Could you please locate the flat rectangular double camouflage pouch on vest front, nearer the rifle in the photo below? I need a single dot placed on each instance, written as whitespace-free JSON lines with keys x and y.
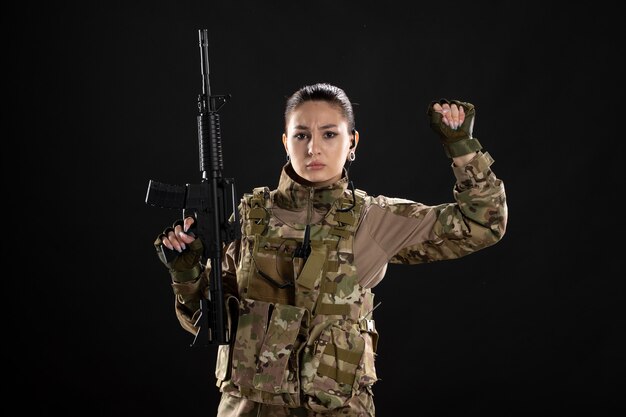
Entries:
{"x":265,"y":354}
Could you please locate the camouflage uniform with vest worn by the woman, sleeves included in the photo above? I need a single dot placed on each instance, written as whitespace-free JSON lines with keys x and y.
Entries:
{"x":305,"y":339}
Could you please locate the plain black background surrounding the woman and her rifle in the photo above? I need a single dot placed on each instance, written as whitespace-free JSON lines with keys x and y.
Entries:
{"x":102,"y":97}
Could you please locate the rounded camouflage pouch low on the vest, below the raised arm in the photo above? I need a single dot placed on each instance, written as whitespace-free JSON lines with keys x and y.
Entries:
{"x":332,"y":366}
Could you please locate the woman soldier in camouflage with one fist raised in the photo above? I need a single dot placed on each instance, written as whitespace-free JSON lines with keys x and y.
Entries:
{"x":312,"y":250}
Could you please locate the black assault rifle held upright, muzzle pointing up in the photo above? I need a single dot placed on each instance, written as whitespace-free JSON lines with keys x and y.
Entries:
{"x":206,"y":203}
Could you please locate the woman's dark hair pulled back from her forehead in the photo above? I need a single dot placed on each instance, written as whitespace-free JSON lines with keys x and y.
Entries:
{"x":321,"y":92}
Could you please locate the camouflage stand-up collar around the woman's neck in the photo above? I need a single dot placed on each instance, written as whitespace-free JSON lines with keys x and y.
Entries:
{"x":295,"y":193}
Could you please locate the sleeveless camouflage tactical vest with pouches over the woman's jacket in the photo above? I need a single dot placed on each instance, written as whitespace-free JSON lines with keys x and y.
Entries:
{"x":305,"y":334}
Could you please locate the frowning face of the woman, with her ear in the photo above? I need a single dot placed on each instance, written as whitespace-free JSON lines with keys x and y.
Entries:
{"x":318,"y":142}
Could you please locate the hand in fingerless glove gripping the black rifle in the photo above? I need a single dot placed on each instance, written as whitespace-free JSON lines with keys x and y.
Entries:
{"x":183,"y":266}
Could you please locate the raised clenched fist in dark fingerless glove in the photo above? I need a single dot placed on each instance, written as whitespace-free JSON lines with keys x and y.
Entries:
{"x":454,"y":126}
